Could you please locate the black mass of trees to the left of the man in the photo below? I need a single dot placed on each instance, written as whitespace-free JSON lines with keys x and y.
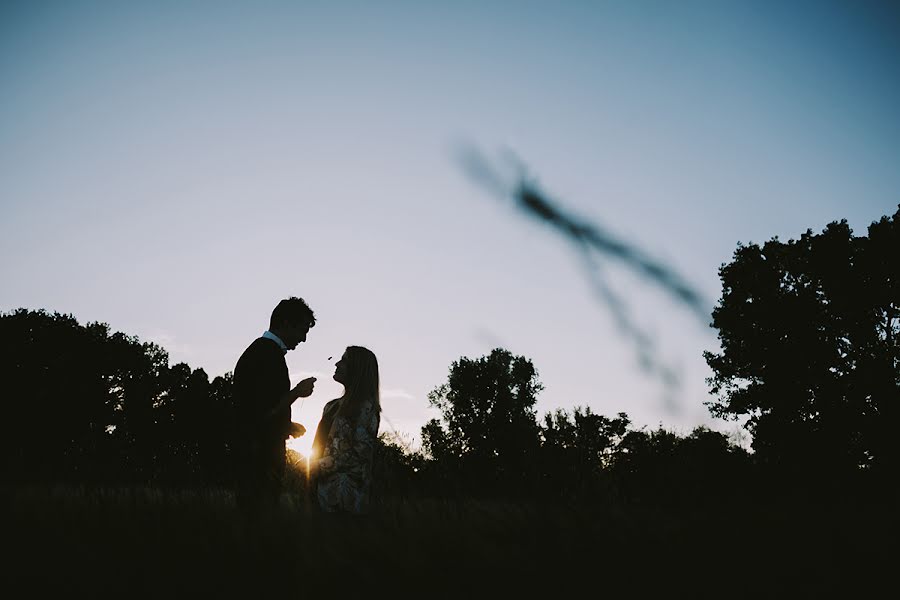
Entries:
{"x":86,"y":404}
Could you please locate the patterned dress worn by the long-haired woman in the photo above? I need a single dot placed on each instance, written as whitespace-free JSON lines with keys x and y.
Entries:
{"x":345,"y":480}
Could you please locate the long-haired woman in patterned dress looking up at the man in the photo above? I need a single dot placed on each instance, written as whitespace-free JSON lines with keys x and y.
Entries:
{"x":344,"y":446}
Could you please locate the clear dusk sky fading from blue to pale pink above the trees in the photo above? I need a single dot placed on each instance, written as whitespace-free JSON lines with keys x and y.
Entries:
{"x":174,"y":169}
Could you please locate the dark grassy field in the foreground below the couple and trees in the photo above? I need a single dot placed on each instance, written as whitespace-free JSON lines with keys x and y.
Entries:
{"x":142,"y":542}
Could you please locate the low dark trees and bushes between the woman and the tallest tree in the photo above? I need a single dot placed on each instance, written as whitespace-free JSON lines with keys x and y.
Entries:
{"x":489,"y":443}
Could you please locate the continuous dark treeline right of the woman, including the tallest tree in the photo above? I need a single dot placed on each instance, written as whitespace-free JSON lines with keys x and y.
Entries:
{"x":809,"y":331}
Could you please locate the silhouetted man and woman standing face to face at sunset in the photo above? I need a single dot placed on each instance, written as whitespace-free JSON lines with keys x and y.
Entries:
{"x":344,"y":443}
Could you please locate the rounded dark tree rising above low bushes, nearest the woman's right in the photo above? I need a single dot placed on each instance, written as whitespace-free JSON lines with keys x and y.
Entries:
{"x":488,"y":425}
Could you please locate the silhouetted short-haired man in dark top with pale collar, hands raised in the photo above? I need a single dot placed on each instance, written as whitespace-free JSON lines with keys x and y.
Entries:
{"x":263,"y":398}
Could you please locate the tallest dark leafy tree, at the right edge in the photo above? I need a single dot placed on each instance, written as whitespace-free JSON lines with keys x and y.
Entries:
{"x":809,"y":347}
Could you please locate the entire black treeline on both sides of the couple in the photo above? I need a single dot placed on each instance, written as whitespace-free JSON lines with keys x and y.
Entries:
{"x":810,"y":357}
